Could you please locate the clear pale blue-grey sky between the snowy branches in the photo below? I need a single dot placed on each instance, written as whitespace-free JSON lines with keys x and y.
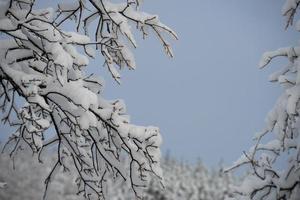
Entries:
{"x":211,"y":98}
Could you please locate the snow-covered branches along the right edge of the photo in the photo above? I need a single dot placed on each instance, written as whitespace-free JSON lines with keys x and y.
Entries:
{"x":275,"y":165}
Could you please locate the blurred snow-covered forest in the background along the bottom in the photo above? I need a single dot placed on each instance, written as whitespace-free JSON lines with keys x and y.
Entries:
{"x":182,"y":182}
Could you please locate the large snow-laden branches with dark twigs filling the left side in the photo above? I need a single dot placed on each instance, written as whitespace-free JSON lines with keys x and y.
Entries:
{"x":44,"y":65}
